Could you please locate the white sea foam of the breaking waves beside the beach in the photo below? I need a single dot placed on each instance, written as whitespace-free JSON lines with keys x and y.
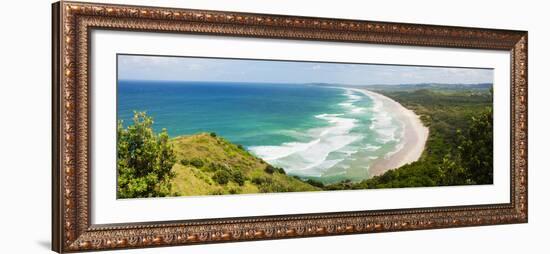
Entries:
{"x":323,"y":148}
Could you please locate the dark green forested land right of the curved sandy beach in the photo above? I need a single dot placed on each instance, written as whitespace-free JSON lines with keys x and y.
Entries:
{"x":451,"y":156}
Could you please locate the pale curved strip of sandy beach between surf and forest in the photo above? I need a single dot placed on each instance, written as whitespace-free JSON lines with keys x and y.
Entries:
{"x":414,"y":136}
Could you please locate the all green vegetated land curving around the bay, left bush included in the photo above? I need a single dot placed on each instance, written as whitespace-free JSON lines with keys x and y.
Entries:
{"x":458,"y":151}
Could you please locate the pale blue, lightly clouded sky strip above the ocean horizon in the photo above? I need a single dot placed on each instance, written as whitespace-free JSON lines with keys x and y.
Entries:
{"x":132,"y":67}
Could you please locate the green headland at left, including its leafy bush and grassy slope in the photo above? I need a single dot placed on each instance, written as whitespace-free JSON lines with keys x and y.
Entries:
{"x":151,"y":165}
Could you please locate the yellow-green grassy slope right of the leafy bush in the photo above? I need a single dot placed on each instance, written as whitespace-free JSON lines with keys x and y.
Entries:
{"x":218,"y":154}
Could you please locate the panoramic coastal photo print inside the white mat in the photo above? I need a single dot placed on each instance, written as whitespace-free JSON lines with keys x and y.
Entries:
{"x":191,"y":126}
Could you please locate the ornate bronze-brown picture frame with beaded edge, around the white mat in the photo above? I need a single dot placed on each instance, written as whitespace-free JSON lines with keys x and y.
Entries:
{"x":71,"y":226}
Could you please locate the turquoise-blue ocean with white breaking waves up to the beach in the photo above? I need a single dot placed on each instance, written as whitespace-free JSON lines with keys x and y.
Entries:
{"x":324,"y":133}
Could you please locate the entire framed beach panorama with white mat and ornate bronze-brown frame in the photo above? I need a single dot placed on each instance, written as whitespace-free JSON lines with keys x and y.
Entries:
{"x":178,"y":126}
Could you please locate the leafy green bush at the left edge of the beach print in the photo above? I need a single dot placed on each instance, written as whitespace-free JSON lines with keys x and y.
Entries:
{"x":144,"y":159}
